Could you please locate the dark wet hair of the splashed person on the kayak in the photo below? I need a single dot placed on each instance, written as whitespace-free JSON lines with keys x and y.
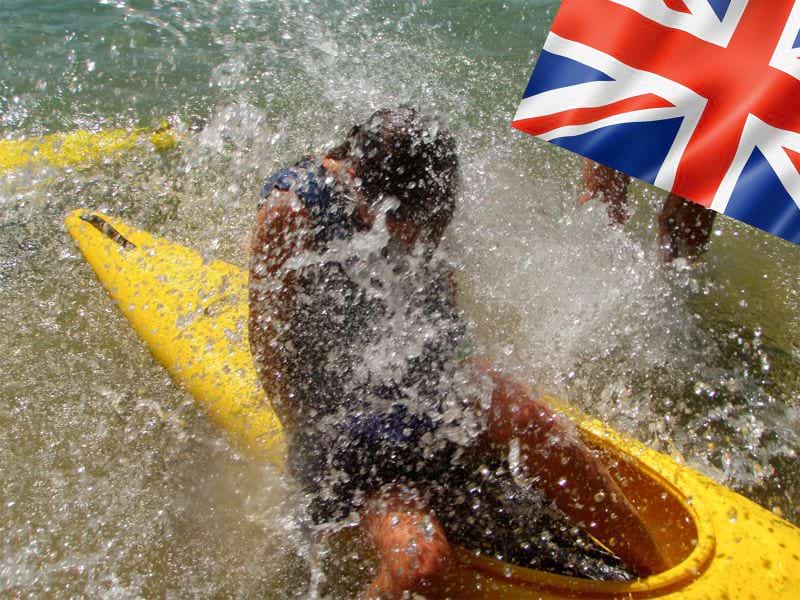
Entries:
{"x":411,"y":157}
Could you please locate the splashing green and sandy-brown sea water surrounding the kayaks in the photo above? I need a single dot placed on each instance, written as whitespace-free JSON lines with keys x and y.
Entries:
{"x":115,"y":485}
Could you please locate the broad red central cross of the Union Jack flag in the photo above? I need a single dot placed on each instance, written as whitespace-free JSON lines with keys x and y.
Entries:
{"x":736,"y":80}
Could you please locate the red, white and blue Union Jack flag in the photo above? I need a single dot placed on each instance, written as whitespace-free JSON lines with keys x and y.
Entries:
{"x":698,"y":97}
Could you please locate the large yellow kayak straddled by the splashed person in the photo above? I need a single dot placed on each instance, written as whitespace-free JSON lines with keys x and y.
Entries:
{"x":192,"y":315}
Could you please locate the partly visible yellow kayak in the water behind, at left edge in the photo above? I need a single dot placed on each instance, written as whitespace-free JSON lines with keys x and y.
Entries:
{"x":80,"y":148}
